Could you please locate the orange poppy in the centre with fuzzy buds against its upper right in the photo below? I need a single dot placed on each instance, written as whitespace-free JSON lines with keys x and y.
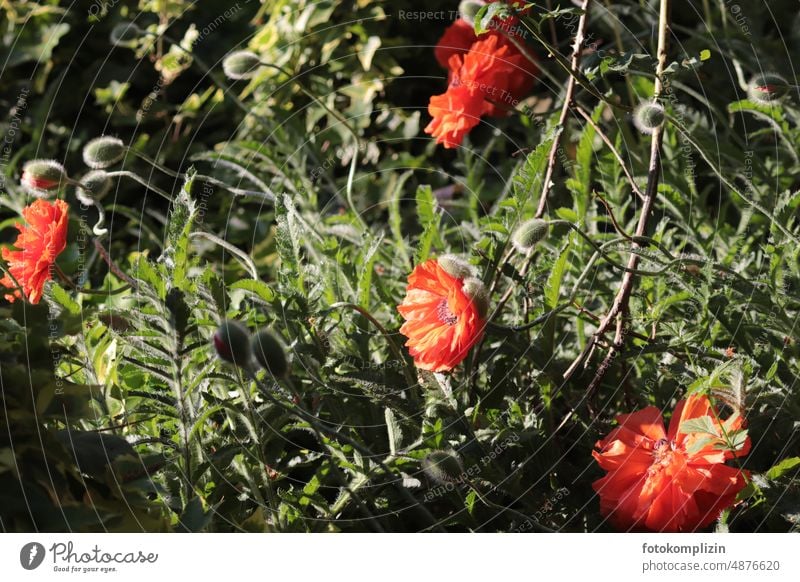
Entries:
{"x":445,"y":311}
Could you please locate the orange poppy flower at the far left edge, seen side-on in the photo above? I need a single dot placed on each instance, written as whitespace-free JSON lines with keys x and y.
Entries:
{"x":40,"y":242}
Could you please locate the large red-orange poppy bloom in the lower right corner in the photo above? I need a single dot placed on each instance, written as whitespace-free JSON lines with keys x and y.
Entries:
{"x":676,"y":481}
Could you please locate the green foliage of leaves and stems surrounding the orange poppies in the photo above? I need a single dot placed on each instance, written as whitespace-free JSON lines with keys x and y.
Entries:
{"x":303,"y":198}
